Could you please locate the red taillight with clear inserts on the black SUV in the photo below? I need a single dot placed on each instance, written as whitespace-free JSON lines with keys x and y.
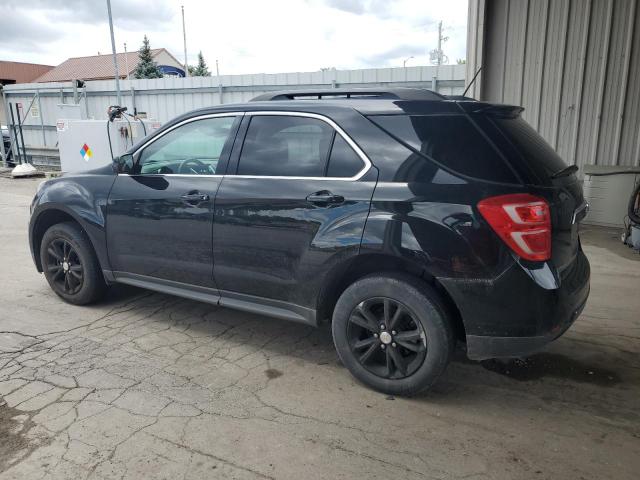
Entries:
{"x":522,"y":221}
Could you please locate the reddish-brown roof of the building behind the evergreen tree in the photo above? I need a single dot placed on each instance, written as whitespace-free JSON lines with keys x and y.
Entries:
{"x":96,"y":67}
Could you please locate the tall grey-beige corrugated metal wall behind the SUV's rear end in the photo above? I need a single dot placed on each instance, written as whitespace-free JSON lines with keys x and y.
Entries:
{"x":573,"y":64}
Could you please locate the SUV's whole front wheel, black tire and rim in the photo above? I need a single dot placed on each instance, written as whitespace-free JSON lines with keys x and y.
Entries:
{"x":70,"y":264}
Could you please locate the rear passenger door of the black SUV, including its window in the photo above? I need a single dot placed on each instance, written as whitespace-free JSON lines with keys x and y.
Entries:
{"x":293,"y":203}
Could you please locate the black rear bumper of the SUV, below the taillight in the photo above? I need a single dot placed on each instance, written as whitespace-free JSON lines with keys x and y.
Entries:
{"x":520,"y":311}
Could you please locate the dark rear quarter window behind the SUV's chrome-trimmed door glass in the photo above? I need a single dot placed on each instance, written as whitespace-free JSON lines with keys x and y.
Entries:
{"x":452,"y":141}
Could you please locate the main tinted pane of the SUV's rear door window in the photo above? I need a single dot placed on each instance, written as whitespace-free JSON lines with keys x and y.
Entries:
{"x":285,"y":146}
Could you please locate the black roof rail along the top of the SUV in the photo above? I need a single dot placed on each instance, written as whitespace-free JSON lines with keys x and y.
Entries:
{"x":398,"y":93}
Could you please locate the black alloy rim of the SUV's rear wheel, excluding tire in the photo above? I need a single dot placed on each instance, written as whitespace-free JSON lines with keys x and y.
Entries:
{"x":386,"y":338}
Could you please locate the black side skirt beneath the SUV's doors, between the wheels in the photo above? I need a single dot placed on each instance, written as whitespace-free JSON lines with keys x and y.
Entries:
{"x":238,"y":301}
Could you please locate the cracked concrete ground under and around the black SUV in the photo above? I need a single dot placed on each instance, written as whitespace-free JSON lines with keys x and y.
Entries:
{"x":144,"y":385}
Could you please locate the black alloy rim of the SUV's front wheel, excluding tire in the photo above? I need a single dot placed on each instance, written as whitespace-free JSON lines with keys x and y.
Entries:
{"x":64,"y":266}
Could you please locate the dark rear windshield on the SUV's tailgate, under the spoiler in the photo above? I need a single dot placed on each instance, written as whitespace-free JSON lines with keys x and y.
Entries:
{"x":521,"y":143}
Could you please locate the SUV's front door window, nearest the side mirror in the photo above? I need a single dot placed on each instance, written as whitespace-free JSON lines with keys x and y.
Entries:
{"x":193,"y":148}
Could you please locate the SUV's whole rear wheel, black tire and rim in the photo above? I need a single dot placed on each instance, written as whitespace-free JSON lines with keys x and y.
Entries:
{"x":393,"y":333}
